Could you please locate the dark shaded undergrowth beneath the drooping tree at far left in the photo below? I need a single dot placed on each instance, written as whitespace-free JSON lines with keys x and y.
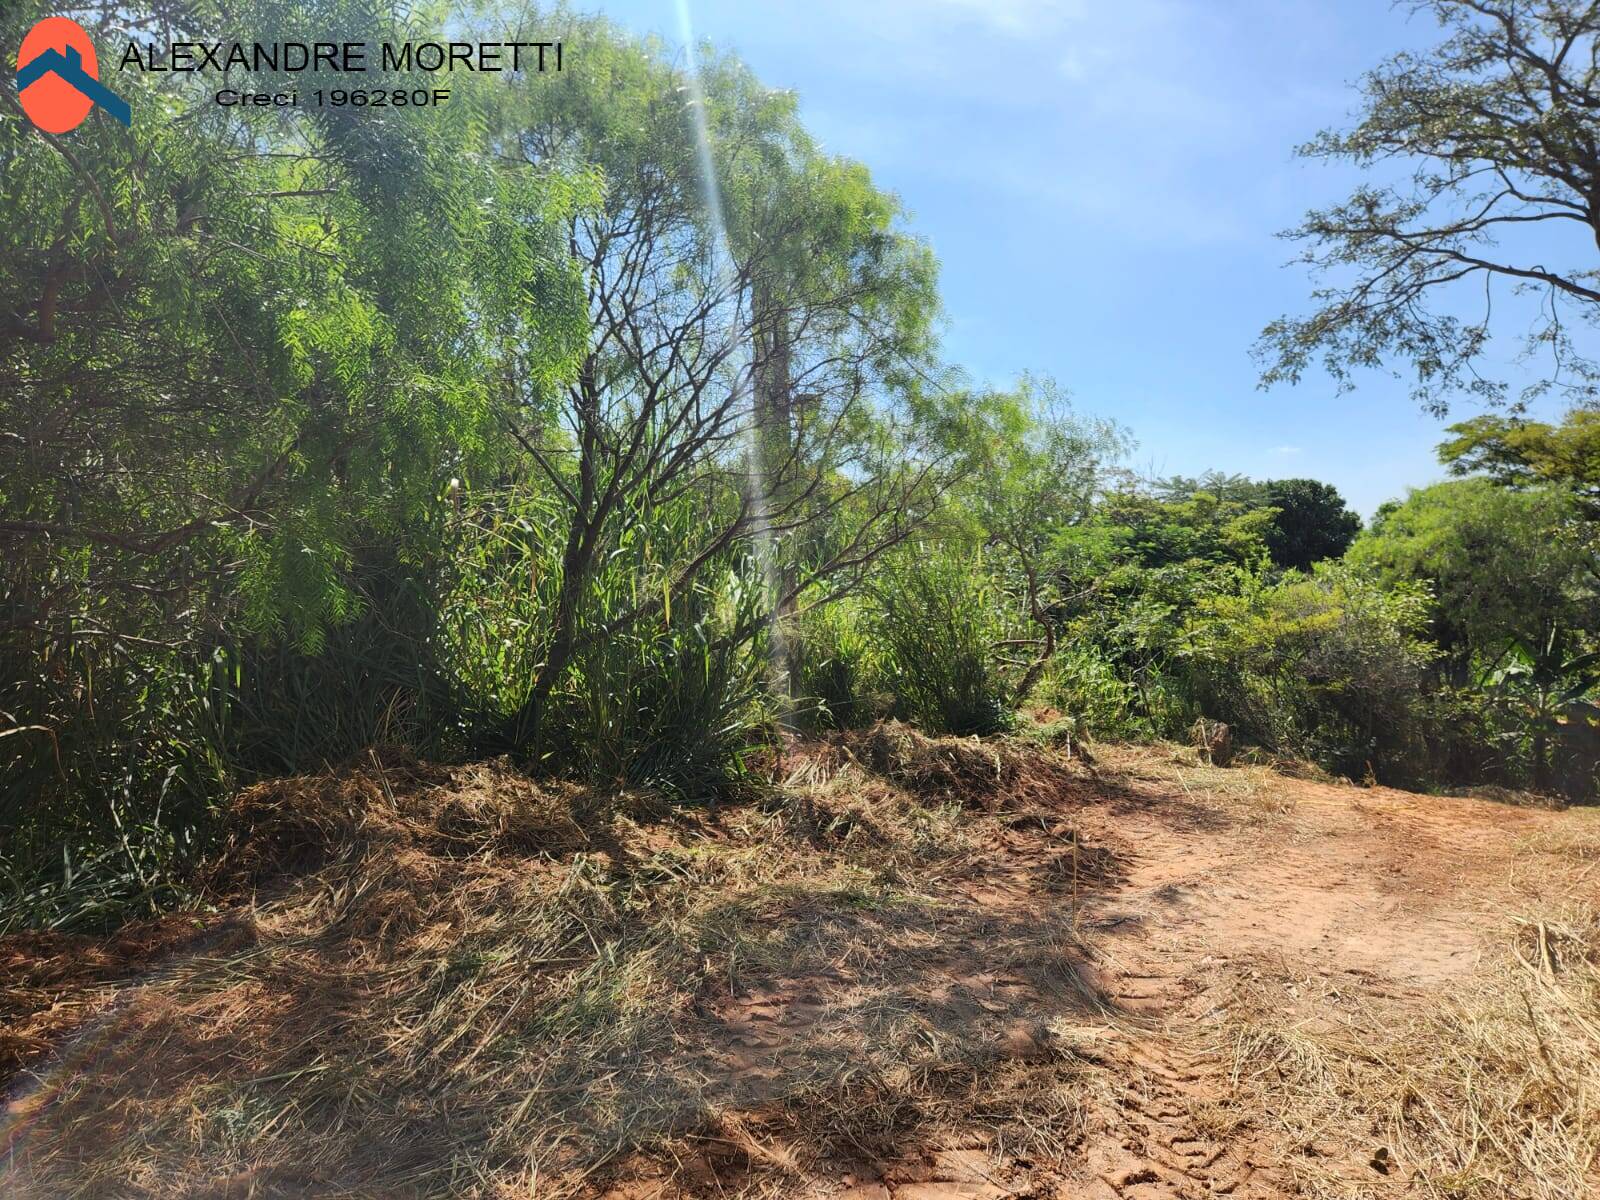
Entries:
{"x":116,"y":778}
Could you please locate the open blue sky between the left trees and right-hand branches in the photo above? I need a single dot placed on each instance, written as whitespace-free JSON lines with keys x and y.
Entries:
{"x":1103,"y":183}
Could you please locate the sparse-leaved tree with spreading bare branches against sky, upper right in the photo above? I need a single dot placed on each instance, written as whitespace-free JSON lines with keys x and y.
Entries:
{"x":1500,"y":127}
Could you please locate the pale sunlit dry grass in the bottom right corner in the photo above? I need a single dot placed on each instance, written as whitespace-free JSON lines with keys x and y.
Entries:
{"x":1489,"y":1095}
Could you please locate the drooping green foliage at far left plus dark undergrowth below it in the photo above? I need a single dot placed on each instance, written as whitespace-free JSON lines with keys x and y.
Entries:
{"x":241,"y":358}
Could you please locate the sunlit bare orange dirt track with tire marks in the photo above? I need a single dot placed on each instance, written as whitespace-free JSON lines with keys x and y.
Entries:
{"x":1385,"y":892}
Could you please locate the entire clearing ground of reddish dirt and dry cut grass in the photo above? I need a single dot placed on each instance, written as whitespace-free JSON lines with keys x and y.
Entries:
{"x":921,"y":970}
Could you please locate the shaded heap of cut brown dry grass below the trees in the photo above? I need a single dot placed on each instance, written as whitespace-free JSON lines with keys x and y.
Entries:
{"x":466,"y":983}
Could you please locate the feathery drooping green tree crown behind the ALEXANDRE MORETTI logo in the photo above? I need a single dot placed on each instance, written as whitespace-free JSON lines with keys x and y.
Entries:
{"x":236,"y":343}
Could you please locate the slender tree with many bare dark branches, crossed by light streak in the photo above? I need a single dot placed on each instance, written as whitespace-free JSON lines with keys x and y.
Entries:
{"x":754,"y":340}
